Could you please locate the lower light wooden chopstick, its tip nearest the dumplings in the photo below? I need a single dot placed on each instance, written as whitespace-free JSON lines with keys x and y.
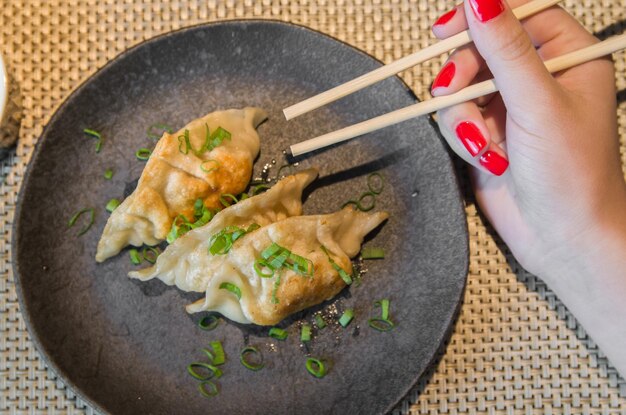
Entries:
{"x":560,"y":63}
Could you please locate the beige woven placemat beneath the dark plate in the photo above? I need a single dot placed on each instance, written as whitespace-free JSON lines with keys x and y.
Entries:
{"x":515,"y":348}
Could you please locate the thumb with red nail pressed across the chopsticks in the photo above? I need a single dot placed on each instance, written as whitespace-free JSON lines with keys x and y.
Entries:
{"x":520,"y":75}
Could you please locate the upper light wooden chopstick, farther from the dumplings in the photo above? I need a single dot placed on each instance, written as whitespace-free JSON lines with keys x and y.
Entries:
{"x":400,"y":65}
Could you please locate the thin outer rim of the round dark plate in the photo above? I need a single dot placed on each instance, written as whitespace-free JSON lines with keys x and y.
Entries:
{"x":17,"y":278}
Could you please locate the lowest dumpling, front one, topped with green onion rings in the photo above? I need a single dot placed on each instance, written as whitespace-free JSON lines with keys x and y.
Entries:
{"x":327,"y":241}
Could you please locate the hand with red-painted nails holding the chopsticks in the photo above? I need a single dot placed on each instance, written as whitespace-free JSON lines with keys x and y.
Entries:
{"x":544,"y":151}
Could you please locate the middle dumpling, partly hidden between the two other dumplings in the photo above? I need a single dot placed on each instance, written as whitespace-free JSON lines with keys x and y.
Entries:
{"x":180,"y":263}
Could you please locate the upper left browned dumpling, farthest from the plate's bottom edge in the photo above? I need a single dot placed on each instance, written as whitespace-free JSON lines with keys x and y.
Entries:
{"x":181,"y":169}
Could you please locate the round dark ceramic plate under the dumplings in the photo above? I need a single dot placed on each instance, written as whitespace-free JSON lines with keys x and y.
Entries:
{"x":123,"y":346}
